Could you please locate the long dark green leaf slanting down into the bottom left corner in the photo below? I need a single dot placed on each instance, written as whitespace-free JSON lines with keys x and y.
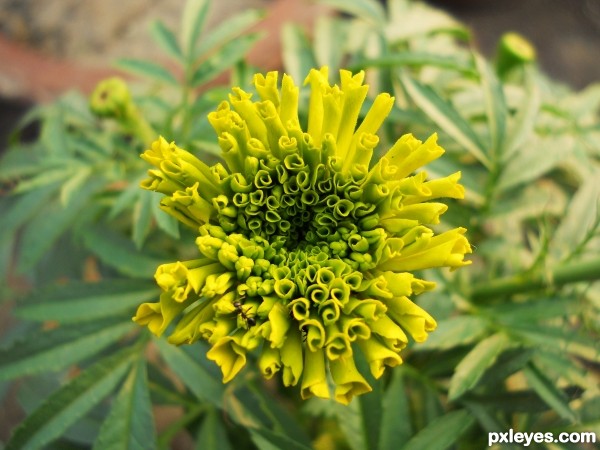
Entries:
{"x":63,"y":408}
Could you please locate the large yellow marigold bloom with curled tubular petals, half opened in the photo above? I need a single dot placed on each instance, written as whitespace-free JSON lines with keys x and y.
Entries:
{"x":306,"y":245}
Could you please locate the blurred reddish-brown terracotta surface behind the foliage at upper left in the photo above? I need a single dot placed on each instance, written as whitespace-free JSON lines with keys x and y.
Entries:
{"x":39,"y":73}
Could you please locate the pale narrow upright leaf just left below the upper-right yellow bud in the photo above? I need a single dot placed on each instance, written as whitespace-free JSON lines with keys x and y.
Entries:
{"x":495,"y":105}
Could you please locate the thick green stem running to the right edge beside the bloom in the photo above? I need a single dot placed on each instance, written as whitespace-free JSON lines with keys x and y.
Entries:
{"x":571,"y":273}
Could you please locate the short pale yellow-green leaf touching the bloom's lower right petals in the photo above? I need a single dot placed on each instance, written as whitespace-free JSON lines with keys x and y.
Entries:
{"x":455,"y":331}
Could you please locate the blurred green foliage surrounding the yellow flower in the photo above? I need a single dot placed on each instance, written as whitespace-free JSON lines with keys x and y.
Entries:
{"x":517,"y":341}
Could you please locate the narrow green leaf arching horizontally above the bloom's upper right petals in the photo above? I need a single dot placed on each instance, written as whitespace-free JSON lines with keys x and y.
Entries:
{"x":417,"y":59}
